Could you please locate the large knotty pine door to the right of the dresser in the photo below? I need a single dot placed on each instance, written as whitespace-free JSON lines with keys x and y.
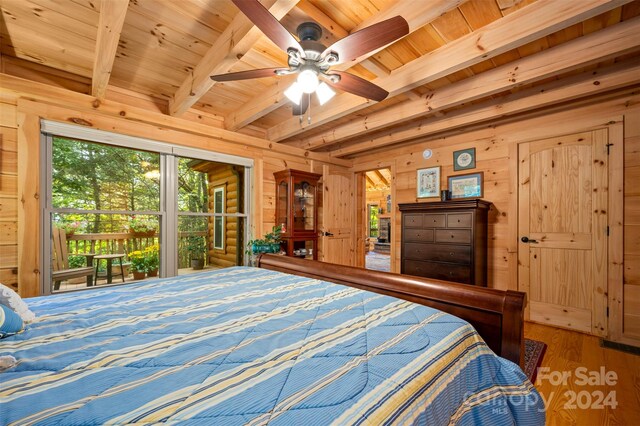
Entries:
{"x":562,"y":224}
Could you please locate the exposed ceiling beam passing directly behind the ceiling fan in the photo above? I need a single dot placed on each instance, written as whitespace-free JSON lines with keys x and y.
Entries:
{"x":417,"y":15}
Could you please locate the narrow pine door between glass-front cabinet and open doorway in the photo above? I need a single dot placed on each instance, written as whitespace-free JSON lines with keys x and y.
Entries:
{"x":338,"y":205}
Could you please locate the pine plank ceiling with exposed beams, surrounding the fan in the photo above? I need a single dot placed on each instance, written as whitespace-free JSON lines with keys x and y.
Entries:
{"x":465,"y":63}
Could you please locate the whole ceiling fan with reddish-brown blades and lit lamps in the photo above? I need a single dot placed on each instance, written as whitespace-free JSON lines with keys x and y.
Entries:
{"x":312,"y":61}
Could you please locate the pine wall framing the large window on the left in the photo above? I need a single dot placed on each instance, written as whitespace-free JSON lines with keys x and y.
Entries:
{"x":23,"y":103}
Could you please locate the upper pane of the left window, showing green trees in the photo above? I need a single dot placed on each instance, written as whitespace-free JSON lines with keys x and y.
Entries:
{"x":92,"y":176}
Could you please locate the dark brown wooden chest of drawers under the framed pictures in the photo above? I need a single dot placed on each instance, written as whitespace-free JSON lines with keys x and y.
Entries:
{"x":446,"y":240}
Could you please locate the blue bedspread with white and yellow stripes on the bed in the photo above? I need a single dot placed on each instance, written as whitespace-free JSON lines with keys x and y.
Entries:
{"x":252,"y":346}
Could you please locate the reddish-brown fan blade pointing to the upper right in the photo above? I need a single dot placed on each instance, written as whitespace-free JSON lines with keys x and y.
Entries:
{"x":368,"y":39}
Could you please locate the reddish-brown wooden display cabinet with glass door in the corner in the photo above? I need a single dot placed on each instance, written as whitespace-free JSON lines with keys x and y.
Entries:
{"x":297,"y":195}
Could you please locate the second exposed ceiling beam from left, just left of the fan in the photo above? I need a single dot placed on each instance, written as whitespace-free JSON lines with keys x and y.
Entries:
{"x":236,"y":40}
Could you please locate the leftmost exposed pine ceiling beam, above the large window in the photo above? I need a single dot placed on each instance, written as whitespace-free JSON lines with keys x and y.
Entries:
{"x":112,"y":14}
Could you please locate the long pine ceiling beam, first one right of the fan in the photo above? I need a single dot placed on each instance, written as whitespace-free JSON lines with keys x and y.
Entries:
{"x":532,"y":22}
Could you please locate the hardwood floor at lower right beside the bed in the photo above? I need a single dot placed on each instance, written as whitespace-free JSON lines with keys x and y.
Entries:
{"x":567,"y":351}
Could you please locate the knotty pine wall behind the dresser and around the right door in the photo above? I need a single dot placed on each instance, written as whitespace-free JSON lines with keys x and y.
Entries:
{"x":496,"y":156}
